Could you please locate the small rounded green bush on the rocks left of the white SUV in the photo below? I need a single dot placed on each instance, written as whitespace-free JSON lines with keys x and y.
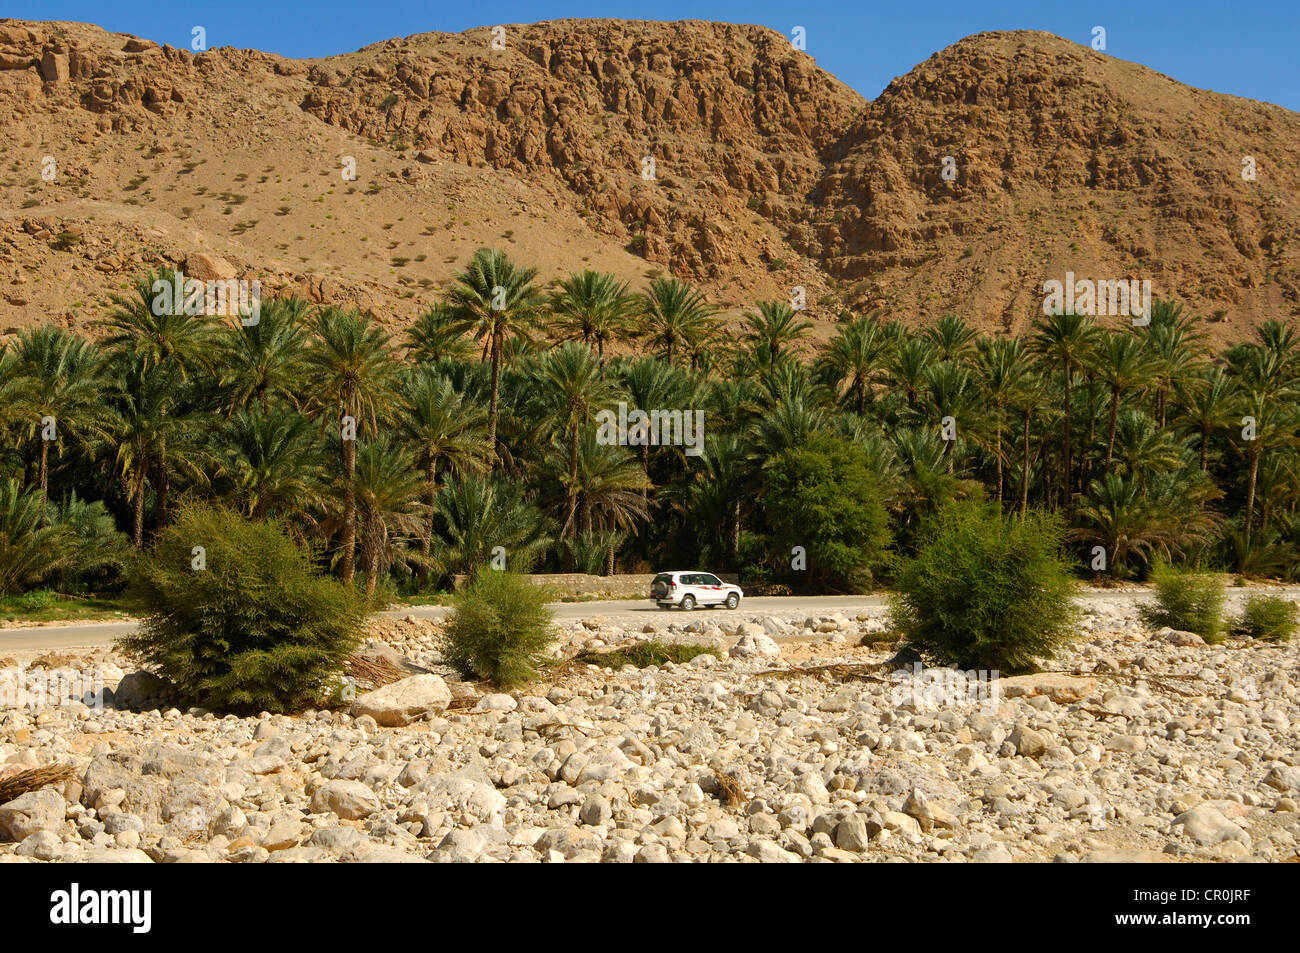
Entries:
{"x":499,"y":627}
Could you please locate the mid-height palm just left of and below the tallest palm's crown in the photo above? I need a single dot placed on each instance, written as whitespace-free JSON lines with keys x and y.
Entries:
{"x":447,"y":431}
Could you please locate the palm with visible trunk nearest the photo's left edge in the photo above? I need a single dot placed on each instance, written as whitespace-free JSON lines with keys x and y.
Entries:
{"x":60,"y":378}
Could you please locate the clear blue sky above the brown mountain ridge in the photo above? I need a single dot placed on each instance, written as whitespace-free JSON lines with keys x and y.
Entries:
{"x":1243,"y":47}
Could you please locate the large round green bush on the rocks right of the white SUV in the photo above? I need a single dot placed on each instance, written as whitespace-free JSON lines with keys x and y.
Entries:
{"x":986,"y":591}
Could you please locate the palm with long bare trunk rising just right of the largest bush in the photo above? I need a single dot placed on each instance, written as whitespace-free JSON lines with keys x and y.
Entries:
{"x":352,"y":366}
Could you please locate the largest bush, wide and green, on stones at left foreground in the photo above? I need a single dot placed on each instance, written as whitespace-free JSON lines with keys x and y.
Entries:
{"x":258,"y":629}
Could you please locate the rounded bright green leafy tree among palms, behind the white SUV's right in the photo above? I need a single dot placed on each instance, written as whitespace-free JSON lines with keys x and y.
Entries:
{"x":825,"y":497}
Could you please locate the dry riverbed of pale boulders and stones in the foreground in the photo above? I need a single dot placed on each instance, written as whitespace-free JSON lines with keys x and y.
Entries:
{"x":796,"y":744}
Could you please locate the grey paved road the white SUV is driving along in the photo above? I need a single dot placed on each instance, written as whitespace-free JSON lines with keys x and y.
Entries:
{"x":103,"y":634}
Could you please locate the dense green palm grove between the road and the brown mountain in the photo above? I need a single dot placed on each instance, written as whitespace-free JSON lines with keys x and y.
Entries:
{"x":475,"y":436}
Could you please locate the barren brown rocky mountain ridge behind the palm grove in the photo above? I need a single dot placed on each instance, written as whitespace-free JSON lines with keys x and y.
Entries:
{"x":712,"y":151}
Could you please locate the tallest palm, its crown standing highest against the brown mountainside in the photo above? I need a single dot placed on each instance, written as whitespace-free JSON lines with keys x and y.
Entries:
{"x":497,"y":301}
